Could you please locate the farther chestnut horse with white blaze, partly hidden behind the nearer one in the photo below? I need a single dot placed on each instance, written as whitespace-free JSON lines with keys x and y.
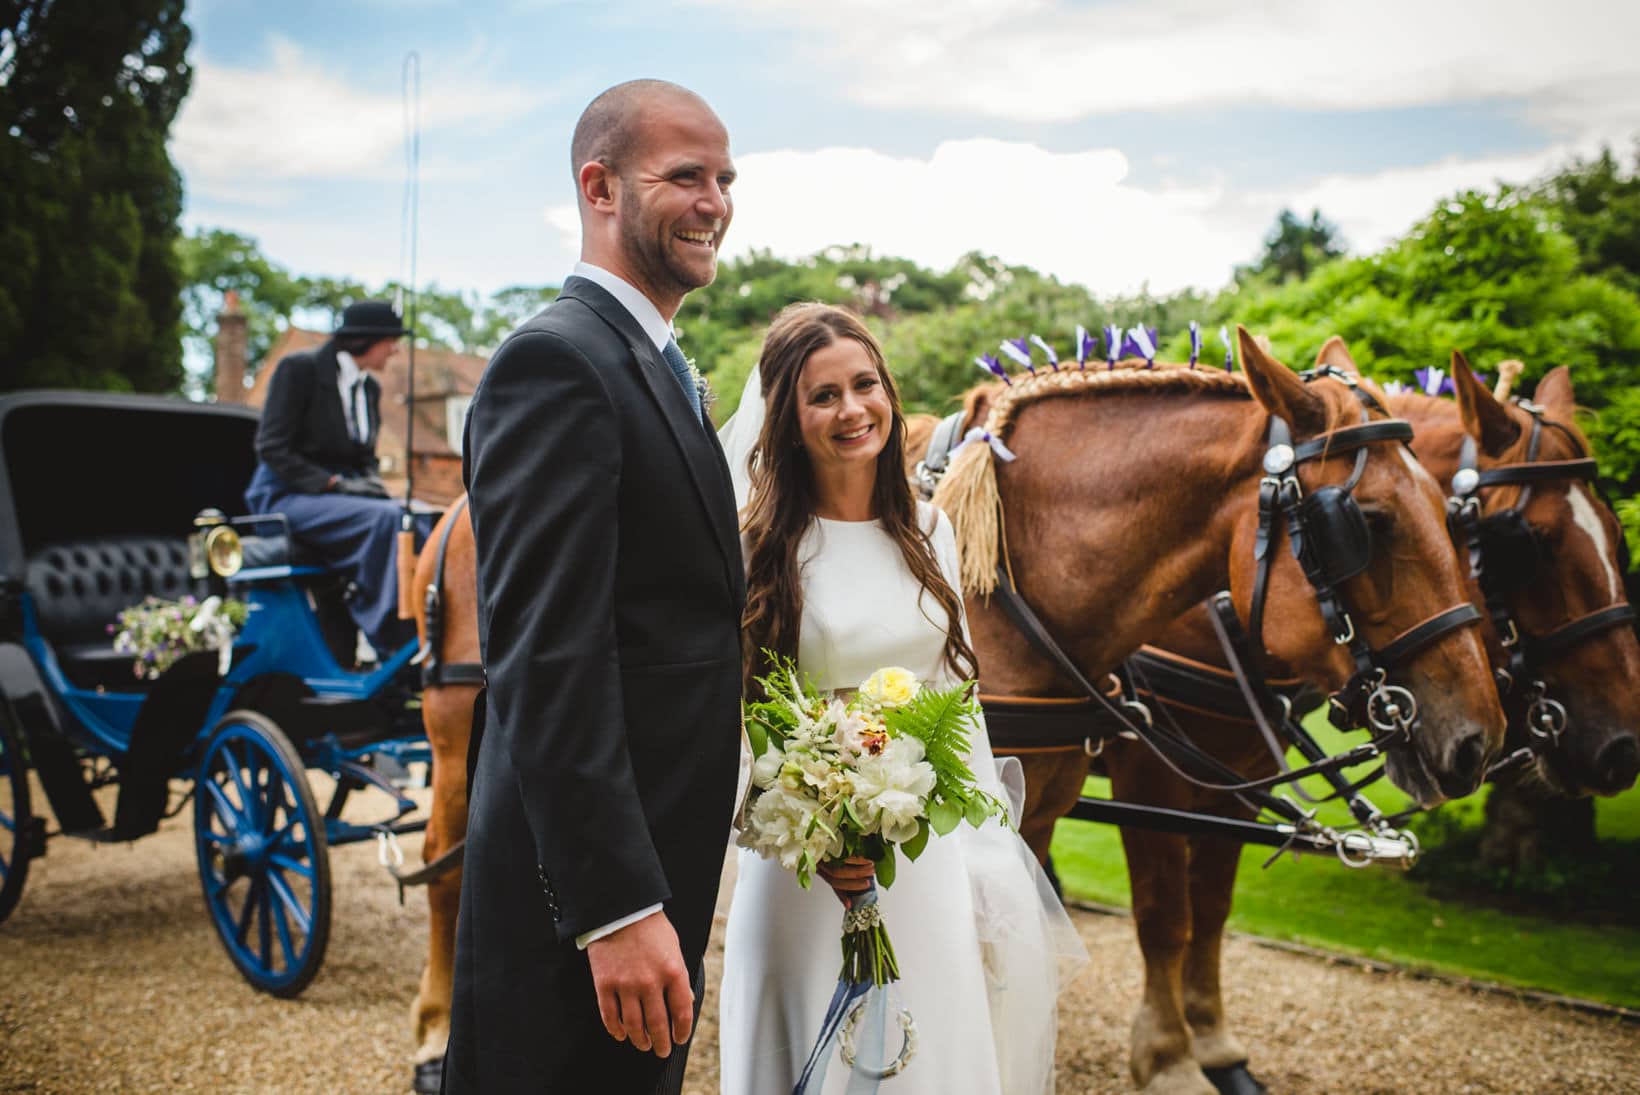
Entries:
{"x":1183,"y":886}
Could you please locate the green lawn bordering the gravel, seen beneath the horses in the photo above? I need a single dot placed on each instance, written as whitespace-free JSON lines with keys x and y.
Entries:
{"x":1383,"y":916}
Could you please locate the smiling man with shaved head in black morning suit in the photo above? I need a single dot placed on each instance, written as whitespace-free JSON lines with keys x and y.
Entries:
{"x":611,"y":593}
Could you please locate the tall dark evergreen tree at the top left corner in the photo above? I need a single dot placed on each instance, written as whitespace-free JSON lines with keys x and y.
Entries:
{"x":91,"y":289}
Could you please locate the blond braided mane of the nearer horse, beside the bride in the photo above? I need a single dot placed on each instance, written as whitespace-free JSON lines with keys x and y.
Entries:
{"x":968,"y":493}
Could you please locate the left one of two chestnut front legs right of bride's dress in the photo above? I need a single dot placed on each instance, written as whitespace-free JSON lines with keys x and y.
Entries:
{"x":1159,"y":873}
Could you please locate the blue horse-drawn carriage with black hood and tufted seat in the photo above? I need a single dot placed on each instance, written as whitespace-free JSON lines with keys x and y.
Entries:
{"x":111,"y":499}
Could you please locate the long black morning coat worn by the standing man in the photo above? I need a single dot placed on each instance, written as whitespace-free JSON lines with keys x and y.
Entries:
{"x":611,"y":593}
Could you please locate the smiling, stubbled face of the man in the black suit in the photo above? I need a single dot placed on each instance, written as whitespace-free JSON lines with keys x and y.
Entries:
{"x":675,"y":199}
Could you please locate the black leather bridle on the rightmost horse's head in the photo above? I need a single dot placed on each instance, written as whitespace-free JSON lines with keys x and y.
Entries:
{"x":1488,"y":538}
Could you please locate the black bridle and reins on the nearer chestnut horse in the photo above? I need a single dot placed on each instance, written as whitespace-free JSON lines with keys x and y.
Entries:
{"x":1331,"y":540}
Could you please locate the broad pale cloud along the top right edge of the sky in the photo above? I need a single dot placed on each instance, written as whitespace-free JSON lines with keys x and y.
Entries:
{"x":1057,"y":61}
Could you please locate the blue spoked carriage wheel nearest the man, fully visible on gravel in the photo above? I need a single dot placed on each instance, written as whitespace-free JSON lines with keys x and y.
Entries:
{"x":263,"y":861}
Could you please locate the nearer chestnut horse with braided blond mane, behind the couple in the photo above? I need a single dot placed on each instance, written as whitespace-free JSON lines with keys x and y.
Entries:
{"x":1168,"y":519}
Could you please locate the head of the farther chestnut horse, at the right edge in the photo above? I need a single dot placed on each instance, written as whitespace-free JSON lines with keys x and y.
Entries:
{"x":1551,"y":558}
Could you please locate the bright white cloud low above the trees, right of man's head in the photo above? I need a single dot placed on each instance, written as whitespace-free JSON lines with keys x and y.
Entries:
{"x":1075,"y":216}
